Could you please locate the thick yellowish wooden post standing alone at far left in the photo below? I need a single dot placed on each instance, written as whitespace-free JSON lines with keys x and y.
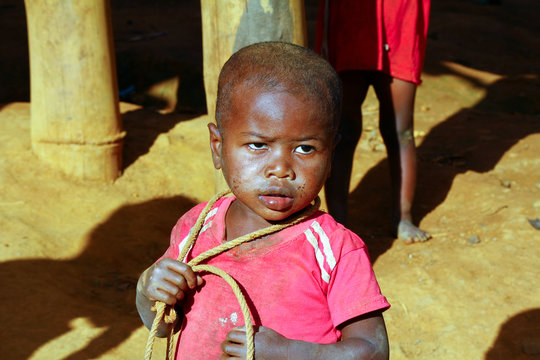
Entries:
{"x":75,"y":118}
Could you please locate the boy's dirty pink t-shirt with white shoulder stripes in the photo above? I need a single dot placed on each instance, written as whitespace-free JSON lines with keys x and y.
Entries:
{"x":302,"y":282}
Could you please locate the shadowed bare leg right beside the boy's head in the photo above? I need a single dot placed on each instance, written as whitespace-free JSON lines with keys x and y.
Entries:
{"x":355,"y":86}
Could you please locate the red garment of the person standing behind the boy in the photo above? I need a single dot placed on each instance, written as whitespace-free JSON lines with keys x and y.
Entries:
{"x":388,"y":36}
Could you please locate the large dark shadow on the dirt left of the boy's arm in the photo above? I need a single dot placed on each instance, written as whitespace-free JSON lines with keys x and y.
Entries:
{"x":41,"y":297}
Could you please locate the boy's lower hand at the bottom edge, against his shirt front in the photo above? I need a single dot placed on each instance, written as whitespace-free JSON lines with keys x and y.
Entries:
{"x":268,"y":344}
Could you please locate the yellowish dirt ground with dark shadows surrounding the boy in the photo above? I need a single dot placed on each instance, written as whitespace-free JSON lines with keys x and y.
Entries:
{"x":71,"y":251}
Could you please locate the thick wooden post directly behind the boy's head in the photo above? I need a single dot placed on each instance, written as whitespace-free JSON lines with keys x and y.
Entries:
{"x":228,"y":26}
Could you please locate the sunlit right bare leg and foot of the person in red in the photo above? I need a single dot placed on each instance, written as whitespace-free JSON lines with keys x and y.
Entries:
{"x":396,"y":122}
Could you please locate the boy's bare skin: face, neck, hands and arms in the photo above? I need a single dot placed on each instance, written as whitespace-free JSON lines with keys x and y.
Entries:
{"x":275,"y":151}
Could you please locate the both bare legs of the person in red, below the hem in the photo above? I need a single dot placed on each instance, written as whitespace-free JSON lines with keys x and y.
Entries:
{"x":396,"y":100}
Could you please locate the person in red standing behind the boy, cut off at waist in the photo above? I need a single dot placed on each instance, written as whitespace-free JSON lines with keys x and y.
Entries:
{"x":379,"y":43}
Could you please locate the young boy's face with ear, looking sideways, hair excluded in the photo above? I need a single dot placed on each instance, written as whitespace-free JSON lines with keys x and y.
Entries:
{"x":275,"y":152}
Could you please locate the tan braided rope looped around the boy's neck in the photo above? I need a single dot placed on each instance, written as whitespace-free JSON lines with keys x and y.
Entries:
{"x":160,"y":307}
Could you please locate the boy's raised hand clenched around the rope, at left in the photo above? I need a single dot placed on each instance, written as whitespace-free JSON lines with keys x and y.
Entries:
{"x":168,"y":281}
